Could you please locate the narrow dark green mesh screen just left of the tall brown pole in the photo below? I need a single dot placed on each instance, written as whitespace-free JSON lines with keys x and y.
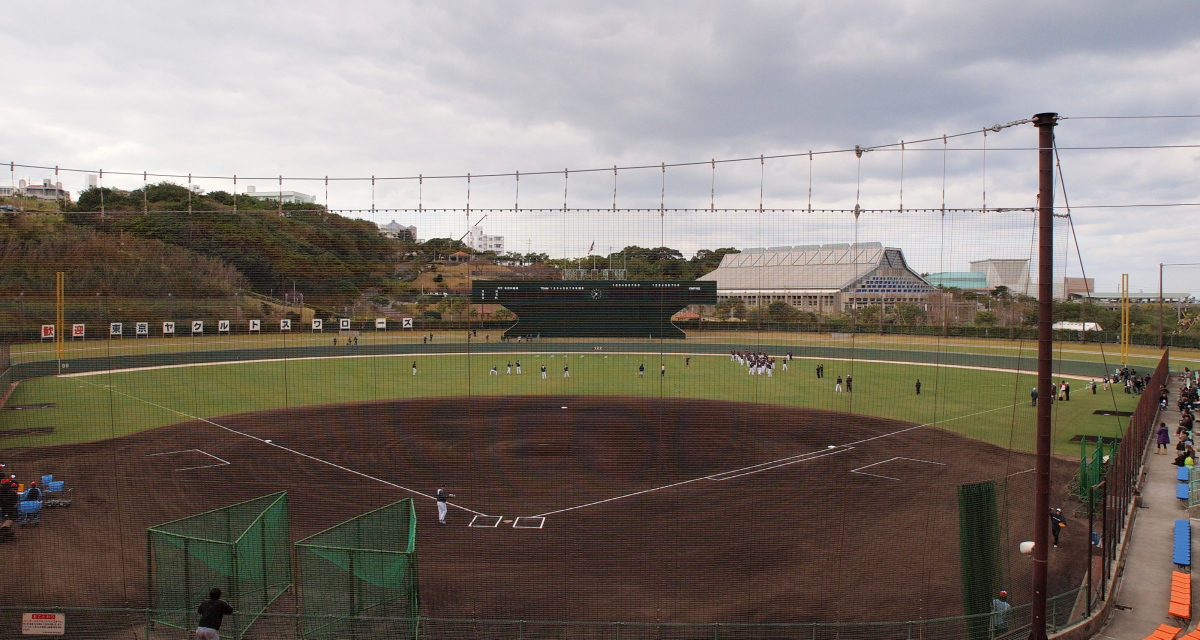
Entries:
{"x":980,"y":553}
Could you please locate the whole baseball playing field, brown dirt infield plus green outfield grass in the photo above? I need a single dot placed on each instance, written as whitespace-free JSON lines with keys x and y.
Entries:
{"x":701,"y":495}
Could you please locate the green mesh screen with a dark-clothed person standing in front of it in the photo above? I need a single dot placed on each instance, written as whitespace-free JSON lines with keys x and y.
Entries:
{"x":243,"y":549}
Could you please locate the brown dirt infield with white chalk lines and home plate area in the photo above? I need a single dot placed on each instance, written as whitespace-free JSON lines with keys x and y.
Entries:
{"x":655,"y":510}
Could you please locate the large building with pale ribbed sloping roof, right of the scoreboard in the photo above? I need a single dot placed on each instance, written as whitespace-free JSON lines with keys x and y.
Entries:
{"x":821,"y":278}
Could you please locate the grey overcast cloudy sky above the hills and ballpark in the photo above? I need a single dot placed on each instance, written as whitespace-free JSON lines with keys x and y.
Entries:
{"x":405,"y":89}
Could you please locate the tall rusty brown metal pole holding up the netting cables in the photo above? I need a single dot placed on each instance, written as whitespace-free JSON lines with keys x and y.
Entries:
{"x":1046,"y":124}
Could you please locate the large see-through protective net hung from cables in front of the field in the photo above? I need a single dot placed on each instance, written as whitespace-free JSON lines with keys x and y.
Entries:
{"x":789,"y":468}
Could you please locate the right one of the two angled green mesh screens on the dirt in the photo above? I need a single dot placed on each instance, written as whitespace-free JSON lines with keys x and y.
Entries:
{"x":361,"y":572}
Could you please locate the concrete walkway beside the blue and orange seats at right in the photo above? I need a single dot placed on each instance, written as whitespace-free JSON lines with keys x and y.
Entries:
{"x":1144,"y":591}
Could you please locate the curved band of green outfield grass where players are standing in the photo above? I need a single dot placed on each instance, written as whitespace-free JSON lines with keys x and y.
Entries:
{"x":993,"y":406}
